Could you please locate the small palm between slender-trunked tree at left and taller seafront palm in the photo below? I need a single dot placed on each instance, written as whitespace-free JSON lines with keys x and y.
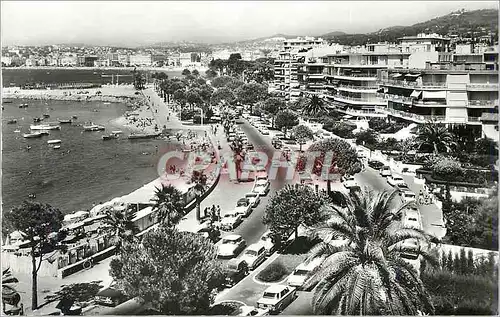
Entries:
{"x":121,"y":221}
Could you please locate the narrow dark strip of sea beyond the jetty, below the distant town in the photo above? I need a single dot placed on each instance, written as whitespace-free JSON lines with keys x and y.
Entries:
{"x":17,"y":77}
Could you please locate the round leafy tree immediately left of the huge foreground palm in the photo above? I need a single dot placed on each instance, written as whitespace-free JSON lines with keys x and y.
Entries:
{"x":291,"y":207}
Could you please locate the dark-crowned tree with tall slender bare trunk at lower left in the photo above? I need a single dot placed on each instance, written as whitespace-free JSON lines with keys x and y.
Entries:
{"x":37,"y":221}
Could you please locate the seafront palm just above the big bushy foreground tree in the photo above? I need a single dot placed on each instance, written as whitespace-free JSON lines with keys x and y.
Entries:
{"x":169,"y":205}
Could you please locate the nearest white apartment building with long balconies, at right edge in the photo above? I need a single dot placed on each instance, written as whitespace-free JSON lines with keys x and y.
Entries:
{"x":461,"y":91}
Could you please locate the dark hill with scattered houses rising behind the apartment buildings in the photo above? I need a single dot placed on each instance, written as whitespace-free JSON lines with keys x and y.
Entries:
{"x":463,"y":23}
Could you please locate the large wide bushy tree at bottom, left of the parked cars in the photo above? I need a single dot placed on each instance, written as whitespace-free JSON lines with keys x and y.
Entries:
{"x":175,"y":272}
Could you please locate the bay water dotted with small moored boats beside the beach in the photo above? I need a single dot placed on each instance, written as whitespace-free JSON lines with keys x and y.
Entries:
{"x":85,"y":170}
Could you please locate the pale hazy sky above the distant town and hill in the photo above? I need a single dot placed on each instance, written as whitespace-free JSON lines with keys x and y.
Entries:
{"x":131,"y":23}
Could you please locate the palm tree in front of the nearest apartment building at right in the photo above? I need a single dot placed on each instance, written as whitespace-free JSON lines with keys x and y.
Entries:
{"x":435,"y":136}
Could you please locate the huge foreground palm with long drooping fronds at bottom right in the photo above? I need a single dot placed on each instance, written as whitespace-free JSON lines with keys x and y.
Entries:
{"x":365,"y":274}
